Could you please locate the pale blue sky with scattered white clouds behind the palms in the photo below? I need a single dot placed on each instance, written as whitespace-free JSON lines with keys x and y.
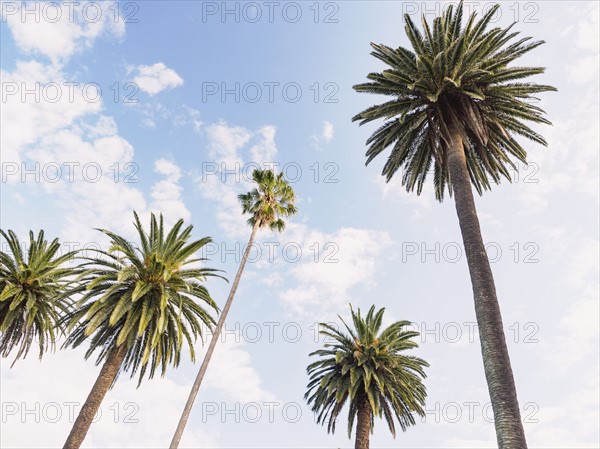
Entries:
{"x":168,"y":106}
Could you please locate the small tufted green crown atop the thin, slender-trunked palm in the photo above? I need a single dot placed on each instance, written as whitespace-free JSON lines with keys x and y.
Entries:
{"x":270,"y":201}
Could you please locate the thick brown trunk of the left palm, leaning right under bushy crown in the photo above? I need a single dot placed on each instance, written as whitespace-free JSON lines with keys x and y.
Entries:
{"x":105,"y":379}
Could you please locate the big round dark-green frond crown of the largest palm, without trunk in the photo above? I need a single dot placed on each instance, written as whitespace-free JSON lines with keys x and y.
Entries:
{"x":454,"y":78}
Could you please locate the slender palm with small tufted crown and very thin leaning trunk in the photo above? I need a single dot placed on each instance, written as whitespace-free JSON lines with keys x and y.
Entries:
{"x":271,"y":200}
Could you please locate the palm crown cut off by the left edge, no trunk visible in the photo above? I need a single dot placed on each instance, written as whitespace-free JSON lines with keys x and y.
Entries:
{"x":35,"y":290}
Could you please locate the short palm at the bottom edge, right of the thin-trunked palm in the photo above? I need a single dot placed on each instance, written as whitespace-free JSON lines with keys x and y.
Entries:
{"x":369,"y":369}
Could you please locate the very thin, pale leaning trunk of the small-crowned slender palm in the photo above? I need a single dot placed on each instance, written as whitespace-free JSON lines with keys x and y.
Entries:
{"x":211,"y":347}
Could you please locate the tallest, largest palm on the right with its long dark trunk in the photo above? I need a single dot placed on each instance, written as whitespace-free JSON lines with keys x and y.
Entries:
{"x":456,"y":107}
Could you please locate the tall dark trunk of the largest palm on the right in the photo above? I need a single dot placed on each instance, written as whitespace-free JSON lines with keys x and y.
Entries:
{"x":496,"y":362}
